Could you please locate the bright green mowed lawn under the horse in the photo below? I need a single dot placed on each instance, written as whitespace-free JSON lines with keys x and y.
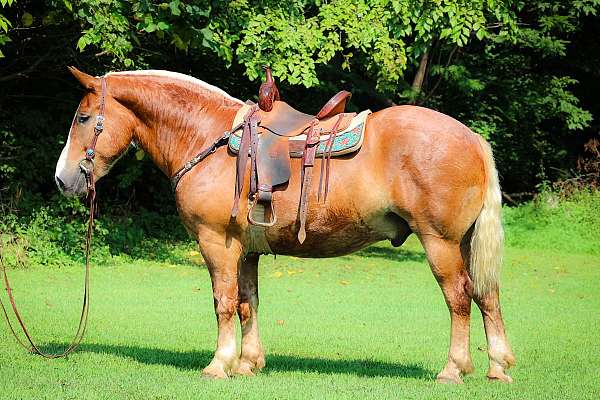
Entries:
{"x":371,"y":325}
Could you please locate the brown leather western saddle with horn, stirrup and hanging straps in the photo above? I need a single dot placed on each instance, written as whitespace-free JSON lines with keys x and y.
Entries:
{"x":267,"y":128}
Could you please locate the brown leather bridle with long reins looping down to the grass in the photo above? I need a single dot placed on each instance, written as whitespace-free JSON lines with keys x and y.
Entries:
{"x":87,"y":168}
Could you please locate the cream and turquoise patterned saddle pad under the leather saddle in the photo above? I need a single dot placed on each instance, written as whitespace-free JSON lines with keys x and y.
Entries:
{"x":345,"y":142}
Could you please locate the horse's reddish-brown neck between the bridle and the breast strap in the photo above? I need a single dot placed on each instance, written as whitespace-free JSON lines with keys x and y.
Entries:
{"x":176,"y":120}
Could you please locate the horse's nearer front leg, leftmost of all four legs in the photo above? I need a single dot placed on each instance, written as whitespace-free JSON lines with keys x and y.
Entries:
{"x":222,"y":256}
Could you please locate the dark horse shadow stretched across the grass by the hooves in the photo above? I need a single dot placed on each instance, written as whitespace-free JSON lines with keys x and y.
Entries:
{"x":196,"y":360}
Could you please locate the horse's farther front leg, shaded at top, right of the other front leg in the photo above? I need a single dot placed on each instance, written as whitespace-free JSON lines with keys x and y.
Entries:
{"x":252,"y":357}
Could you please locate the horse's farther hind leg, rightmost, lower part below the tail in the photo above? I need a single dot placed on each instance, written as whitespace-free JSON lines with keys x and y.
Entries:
{"x":499,"y":351}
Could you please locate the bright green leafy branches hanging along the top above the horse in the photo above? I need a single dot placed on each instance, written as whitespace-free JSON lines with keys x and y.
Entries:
{"x":383,"y":37}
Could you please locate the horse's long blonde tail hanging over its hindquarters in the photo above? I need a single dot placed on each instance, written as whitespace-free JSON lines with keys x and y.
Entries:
{"x":488,"y":236}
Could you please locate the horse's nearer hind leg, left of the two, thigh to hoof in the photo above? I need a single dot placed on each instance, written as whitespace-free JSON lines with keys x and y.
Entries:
{"x":448,"y":267}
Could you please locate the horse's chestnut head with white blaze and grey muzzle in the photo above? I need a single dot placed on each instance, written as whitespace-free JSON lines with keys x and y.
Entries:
{"x":112,"y":142}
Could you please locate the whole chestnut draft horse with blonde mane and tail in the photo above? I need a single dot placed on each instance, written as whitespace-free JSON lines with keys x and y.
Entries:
{"x":418,"y":171}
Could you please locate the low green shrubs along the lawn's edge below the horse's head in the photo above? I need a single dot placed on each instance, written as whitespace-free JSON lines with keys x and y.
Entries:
{"x":54,"y":236}
